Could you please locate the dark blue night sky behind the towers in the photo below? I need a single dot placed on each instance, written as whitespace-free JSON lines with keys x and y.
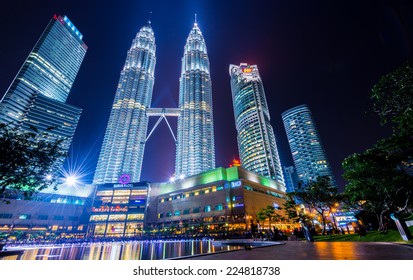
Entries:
{"x":326,"y":54}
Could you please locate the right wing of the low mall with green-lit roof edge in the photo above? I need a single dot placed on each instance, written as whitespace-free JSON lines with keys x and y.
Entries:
{"x":217,"y":199}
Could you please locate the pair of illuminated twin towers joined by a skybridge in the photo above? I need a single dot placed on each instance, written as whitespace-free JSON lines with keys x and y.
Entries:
{"x":126,"y":134}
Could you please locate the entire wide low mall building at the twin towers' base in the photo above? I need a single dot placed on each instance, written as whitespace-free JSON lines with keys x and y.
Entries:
{"x":222,"y":199}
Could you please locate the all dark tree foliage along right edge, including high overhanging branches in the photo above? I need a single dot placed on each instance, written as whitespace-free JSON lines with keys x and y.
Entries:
{"x":380,"y":179}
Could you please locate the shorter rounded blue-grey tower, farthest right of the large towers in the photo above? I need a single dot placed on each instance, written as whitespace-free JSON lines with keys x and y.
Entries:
{"x":308,"y":153}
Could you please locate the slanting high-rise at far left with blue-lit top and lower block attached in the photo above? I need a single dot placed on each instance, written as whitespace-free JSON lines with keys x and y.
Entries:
{"x":36,"y":97}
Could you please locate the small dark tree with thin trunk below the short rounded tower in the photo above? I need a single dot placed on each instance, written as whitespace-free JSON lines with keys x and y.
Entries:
{"x":319,"y":195}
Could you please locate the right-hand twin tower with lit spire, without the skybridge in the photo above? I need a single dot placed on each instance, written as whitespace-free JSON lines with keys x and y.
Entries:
{"x":195,"y":151}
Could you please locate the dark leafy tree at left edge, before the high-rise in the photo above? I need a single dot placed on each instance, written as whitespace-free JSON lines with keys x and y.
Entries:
{"x":28,"y":161}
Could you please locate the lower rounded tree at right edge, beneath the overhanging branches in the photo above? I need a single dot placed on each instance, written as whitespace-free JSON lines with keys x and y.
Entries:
{"x":378,"y":180}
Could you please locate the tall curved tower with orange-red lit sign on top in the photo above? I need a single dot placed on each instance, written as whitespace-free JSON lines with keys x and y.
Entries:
{"x":256,"y":140}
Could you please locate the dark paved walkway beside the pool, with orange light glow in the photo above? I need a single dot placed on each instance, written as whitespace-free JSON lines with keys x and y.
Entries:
{"x":301,"y":250}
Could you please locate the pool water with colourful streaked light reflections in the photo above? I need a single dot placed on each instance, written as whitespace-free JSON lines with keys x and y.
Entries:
{"x":136,"y":250}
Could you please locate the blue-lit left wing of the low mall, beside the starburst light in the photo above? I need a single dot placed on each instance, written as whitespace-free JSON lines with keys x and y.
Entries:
{"x":60,"y":213}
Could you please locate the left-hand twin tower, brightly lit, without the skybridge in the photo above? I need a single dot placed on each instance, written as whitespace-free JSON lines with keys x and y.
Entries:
{"x":124,"y":142}
